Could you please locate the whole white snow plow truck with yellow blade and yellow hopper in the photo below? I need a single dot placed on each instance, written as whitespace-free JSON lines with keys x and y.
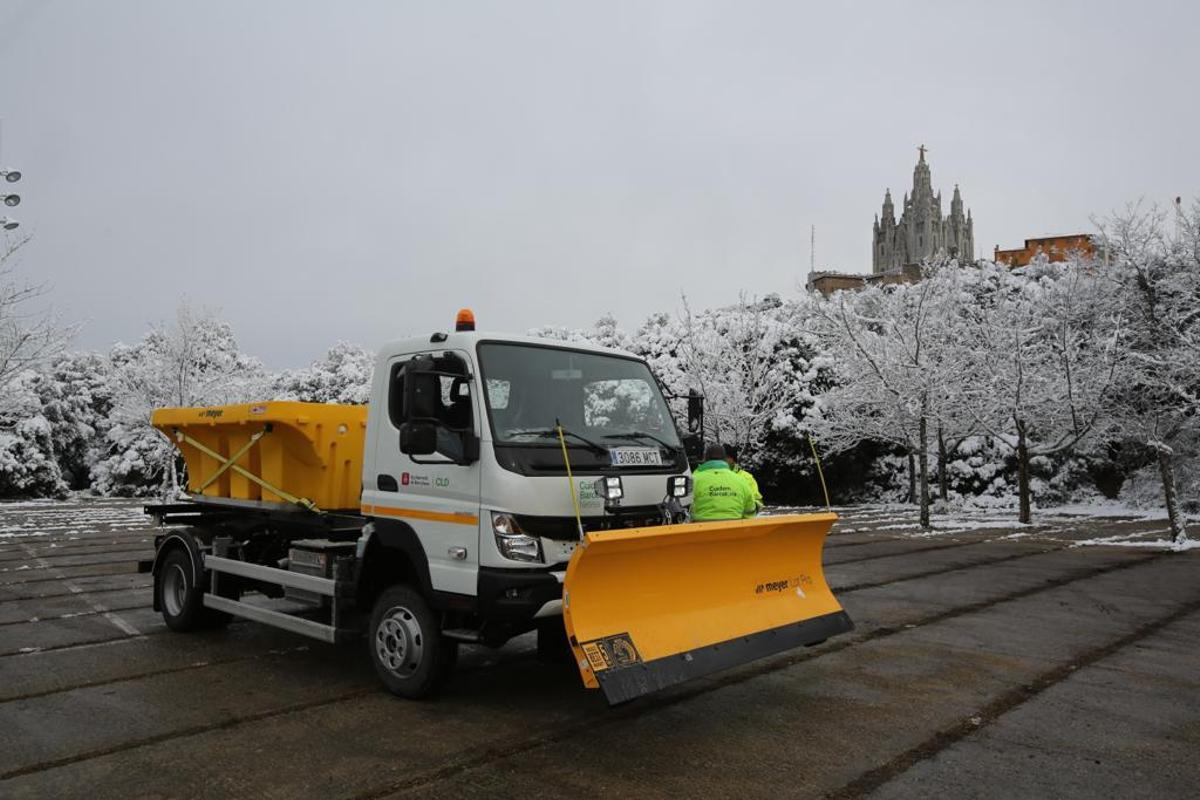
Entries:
{"x":494,"y":486}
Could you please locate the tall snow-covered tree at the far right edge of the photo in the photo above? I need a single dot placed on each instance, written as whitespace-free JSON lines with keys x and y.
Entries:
{"x":1155,"y":262}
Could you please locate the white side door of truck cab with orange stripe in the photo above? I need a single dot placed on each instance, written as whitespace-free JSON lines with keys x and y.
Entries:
{"x":436,"y":496}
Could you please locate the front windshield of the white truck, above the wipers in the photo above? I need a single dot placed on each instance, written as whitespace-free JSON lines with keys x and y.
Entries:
{"x":609,"y":400}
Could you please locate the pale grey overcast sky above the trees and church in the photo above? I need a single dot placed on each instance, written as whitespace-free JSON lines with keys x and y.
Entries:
{"x":326,"y":171}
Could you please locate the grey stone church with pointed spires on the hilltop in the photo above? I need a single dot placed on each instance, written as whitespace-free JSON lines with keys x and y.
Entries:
{"x":922,"y":232}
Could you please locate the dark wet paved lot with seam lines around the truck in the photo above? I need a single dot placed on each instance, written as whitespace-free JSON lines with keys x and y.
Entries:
{"x":985,"y":664}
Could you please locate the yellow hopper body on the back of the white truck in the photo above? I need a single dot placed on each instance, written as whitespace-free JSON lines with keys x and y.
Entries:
{"x":279,"y":452}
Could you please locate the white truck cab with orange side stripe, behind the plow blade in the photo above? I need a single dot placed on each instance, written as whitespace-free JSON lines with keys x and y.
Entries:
{"x":481,"y":449}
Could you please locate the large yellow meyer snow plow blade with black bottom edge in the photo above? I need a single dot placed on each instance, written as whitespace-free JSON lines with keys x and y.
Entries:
{"x":650,"y":607}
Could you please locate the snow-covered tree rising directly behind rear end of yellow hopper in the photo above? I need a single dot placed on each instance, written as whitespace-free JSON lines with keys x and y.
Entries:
{"x":196,"y":362}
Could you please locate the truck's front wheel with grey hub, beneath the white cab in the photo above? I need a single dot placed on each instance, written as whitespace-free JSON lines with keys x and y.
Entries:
{"x":407,"y":648}
